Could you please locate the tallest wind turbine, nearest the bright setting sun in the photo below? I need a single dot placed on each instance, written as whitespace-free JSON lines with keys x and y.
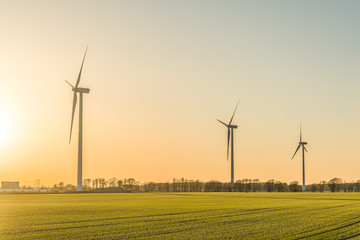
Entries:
{"x":81,"y":91}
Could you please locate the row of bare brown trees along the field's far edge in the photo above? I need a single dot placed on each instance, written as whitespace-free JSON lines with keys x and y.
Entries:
{"x":186,"y":185}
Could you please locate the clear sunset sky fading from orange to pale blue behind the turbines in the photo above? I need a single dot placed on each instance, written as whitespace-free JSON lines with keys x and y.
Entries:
{"x":162,"y":72}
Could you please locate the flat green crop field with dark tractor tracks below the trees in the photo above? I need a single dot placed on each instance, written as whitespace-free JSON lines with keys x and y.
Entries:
{"x":180,"y":216}
